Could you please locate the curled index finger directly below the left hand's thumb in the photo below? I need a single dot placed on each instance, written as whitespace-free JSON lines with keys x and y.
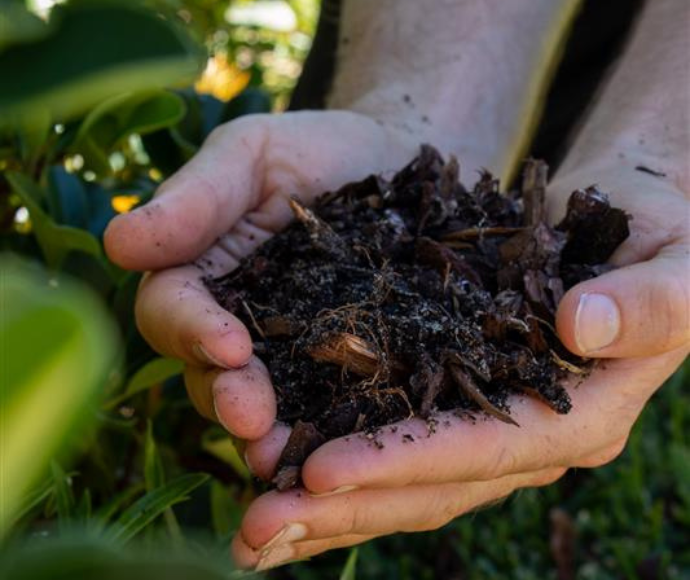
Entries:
{"x":178,"y":316}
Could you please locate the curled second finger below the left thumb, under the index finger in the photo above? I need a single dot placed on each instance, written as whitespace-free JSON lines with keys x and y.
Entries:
{"x":242,"y":400}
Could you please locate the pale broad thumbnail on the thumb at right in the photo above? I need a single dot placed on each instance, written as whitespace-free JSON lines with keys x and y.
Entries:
{"x":597,"y":322}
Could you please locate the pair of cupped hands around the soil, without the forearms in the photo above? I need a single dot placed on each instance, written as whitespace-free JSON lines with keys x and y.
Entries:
{"x":233,"y":195}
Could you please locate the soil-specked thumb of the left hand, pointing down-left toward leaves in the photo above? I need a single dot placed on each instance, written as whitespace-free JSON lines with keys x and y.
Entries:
{"x":195,"y":206}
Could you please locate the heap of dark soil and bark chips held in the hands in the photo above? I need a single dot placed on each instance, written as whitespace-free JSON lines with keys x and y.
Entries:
{"x":395,"y":299}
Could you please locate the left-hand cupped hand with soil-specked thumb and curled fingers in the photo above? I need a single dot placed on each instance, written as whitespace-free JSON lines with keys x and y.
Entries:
{"x":231,"y":197}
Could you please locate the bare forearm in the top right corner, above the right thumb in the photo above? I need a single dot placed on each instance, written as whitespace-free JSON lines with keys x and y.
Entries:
{"x":642,"y":115}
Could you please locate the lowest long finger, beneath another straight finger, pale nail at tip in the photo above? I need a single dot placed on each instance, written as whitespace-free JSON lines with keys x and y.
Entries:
{"x":278,"y":521}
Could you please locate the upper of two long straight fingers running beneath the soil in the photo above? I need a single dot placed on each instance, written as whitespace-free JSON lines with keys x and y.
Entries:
{"x":463,"y":450}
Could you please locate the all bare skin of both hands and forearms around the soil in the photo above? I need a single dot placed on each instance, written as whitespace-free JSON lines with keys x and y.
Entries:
{"x":232,"y":196}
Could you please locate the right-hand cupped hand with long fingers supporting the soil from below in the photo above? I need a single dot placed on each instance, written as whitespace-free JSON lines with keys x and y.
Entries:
{"x":640,"y":319}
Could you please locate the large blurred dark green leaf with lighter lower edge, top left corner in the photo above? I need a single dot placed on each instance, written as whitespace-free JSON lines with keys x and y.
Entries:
{"x":92,"y":52}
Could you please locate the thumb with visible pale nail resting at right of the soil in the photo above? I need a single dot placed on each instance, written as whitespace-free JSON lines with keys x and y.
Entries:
{"x":638,"y":310}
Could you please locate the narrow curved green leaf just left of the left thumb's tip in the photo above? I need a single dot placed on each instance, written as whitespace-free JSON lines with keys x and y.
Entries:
{"x":56,"y":241}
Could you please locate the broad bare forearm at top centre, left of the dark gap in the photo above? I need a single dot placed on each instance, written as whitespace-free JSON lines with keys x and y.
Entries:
{"x":466,"y":76}
